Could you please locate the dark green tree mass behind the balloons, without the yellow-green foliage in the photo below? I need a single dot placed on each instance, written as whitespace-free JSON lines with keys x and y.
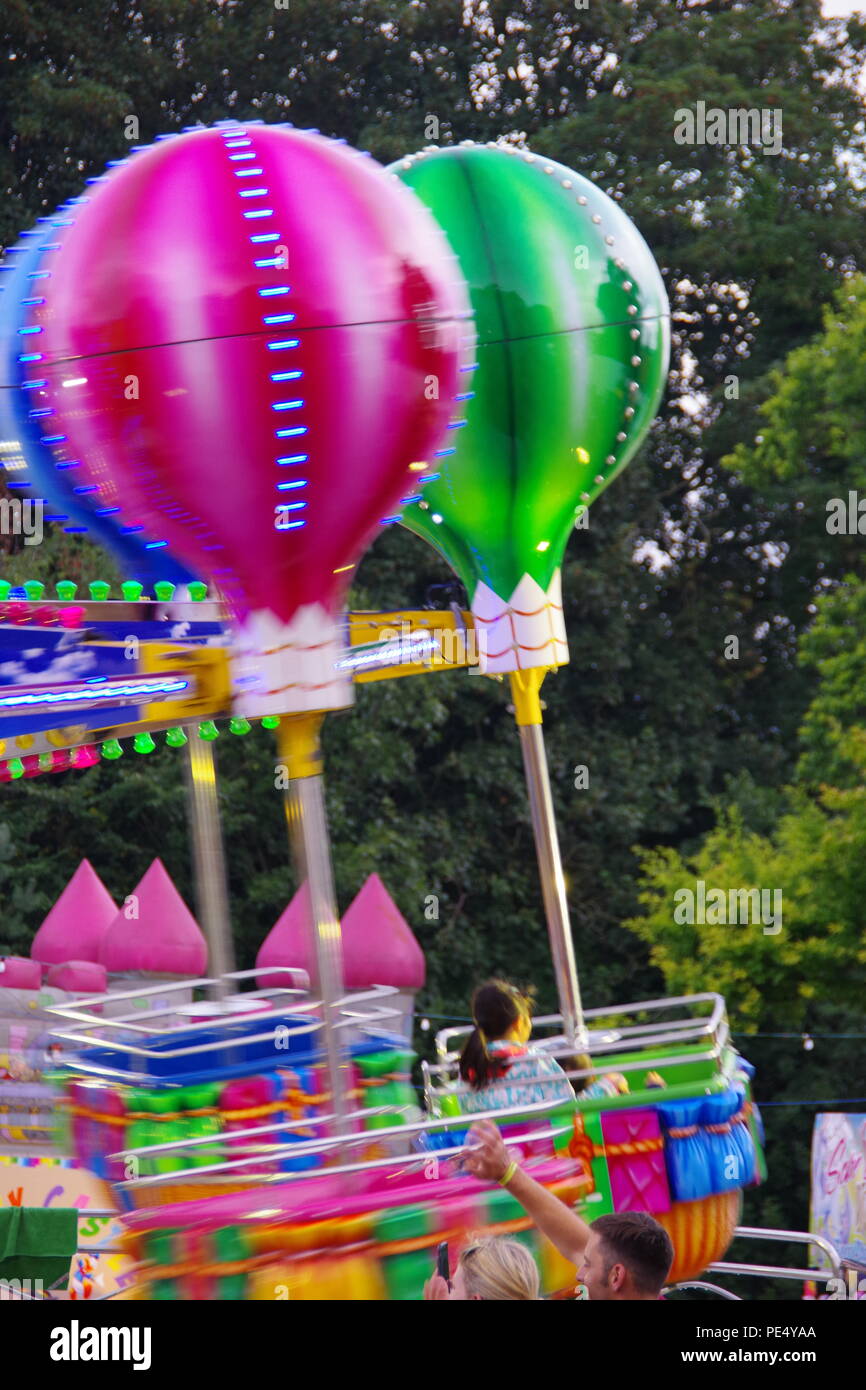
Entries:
{"x":676,"y":555}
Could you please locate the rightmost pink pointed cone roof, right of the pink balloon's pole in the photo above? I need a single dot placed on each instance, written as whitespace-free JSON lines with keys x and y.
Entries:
{"x":379,"y":943}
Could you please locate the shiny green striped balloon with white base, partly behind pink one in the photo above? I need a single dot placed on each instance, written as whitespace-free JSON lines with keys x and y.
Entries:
{"x":573,"y":332}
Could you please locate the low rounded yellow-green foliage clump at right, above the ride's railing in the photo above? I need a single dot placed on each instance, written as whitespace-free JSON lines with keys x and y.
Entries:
{"x":769,"y":968}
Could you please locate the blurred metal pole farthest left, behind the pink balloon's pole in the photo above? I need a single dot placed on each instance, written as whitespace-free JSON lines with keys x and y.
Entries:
{"x":209,"y":862}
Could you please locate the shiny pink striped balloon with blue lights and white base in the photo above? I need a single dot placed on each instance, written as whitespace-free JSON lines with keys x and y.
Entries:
{"x":252,"y":344}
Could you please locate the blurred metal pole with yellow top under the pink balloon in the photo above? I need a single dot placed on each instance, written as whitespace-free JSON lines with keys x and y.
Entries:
{"x":305,"y":807}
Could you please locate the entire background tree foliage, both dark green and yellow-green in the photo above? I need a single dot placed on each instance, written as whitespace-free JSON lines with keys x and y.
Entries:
{"x":700,"y":764}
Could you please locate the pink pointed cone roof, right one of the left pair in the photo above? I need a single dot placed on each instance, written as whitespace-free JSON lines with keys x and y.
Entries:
{"x":165,"y":938}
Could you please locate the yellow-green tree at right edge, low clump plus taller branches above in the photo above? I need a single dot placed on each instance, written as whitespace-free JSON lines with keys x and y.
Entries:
{"x":808,"y":842}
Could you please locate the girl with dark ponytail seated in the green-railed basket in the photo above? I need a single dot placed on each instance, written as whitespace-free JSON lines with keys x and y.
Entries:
{"x":498,"y":1065}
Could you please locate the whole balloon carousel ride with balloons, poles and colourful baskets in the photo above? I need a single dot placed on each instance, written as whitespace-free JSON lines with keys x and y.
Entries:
{"x":241,"y":354}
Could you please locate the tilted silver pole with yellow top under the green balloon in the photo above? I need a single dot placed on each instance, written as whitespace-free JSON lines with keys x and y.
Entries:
{"x":525,"y":686}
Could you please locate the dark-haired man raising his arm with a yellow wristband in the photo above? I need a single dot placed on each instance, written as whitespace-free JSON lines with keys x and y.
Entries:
{"x":625,"y":1257}
